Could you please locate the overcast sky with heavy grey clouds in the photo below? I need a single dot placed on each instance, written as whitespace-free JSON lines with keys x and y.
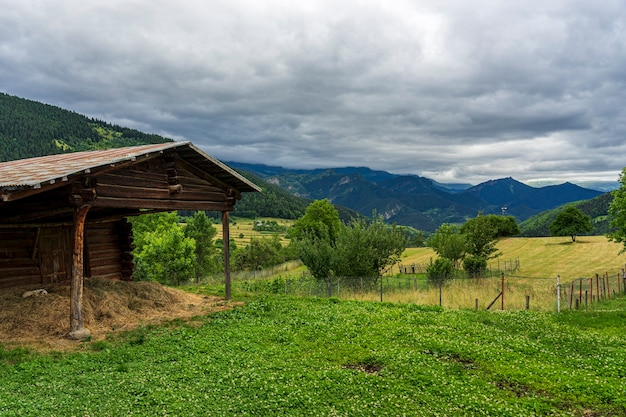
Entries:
{"x":457,"y":91}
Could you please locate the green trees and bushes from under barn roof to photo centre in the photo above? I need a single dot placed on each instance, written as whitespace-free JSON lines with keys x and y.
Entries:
{"x":173,"y":249}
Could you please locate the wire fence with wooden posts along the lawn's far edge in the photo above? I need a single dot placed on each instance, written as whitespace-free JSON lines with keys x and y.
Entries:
{"x":493,"y":290}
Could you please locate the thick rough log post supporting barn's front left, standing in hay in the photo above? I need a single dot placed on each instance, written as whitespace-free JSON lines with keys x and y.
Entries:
{"x":76,"y":286}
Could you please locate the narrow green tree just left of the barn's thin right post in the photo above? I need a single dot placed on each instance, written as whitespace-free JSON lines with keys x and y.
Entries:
{"x":200,"y":228}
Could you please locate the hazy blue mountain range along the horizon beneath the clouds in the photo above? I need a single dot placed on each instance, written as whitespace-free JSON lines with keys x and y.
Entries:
{"x":417,"y":201}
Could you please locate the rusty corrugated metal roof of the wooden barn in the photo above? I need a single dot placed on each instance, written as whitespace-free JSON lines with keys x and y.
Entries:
{"x":37,"y":172}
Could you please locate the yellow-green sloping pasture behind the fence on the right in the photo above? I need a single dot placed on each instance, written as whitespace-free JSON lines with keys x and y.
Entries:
{"x":540,"y":260}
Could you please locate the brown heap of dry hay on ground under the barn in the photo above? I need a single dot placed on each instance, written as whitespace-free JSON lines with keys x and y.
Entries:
{"x":41,"y":322}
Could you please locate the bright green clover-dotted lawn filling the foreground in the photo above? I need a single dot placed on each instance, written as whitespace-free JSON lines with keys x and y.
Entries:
{"x":279,"y":356}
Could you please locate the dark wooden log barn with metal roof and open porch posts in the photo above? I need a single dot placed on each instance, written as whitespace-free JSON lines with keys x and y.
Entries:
{"x":63,"y":217}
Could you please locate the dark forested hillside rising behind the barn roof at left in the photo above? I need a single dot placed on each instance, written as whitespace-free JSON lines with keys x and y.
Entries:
{"x":29,"y":129}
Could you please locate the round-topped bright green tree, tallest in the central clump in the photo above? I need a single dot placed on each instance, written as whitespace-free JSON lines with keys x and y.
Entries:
{"x":320,"y":220}
